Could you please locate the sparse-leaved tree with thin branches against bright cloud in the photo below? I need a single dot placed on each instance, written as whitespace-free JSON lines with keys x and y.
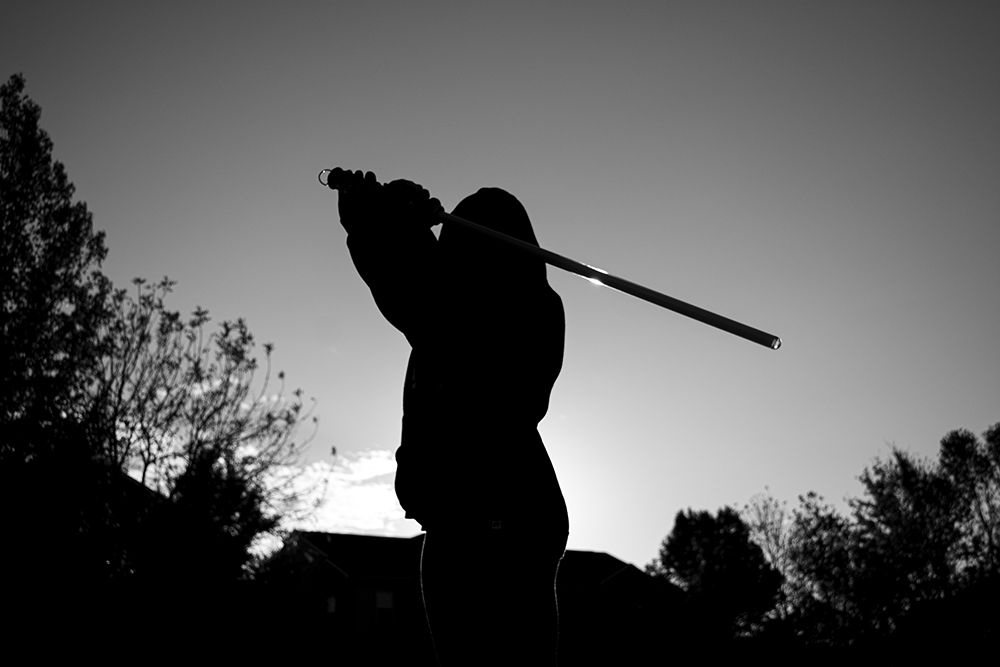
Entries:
{"x":180,"y":414}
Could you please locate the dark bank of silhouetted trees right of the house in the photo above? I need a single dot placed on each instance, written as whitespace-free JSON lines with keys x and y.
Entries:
{"x":913,"y":566}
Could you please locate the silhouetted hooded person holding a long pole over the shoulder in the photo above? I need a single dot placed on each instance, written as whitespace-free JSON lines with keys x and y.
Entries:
{"x":487,"y":333}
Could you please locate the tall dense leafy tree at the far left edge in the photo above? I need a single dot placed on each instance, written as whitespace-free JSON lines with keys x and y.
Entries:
{"x":54,"y":296}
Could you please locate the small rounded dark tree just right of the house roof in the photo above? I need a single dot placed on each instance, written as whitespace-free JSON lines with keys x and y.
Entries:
{"x":722,"y":571}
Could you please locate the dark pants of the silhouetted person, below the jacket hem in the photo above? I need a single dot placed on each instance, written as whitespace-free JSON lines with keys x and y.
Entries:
{"x":490,"y":595}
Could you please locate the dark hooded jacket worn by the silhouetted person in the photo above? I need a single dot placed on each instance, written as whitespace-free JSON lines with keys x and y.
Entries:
{"x":487,"y":336}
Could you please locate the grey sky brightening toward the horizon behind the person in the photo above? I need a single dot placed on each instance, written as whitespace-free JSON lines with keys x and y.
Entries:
{"x":828,"y":172}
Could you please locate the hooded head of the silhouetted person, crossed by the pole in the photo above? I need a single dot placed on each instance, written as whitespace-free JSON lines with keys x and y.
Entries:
{"x":474,"y":257}
